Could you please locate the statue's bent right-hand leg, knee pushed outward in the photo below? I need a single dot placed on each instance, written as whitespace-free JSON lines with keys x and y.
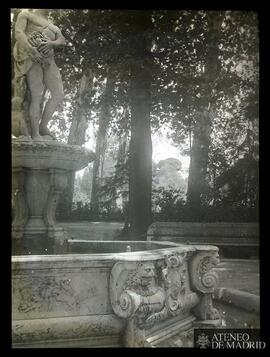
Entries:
{"x":53,"y":82}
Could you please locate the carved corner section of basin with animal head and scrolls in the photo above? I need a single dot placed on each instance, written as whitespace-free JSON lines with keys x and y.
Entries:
{"x":147,"y":293}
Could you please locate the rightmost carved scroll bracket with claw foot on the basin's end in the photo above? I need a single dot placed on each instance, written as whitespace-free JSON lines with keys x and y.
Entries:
{"x":203,"y":280}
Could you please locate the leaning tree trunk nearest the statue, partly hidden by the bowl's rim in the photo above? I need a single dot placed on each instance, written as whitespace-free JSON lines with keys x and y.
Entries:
{"x":77,"y":134}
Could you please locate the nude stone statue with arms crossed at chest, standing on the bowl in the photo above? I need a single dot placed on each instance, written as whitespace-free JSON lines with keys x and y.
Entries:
{"x":36,"y":69}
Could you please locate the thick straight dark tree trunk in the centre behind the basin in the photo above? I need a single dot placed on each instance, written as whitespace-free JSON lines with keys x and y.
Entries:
{"x":140,"y":150}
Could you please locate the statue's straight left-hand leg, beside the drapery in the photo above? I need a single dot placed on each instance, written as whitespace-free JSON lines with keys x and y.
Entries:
{"x":35,"y":84}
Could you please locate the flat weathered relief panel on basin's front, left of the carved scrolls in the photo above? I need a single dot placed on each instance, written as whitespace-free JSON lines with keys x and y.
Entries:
{"x":43,"y":289}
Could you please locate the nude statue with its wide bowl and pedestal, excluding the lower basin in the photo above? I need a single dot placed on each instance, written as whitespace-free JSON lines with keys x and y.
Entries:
{"x":40,"y":164}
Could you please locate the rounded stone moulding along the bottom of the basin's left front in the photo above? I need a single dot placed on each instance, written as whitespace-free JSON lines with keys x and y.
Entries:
{"x":53,"y":331}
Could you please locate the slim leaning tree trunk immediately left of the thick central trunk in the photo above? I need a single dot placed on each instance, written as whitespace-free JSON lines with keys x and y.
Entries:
{"x":101,"y":146}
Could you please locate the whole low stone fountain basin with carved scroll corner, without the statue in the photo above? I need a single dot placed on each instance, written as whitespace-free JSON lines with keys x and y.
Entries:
{"x":112,"y":298}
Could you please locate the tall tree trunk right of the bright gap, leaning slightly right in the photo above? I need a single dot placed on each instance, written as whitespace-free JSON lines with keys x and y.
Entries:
{"x":201,"y":135}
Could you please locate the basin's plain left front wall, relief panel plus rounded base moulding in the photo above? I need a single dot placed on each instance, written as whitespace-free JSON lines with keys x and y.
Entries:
{"x":60,"y":299}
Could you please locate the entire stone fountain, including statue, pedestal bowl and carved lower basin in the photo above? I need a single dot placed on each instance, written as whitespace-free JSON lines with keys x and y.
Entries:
{"x":72,"y":293}
